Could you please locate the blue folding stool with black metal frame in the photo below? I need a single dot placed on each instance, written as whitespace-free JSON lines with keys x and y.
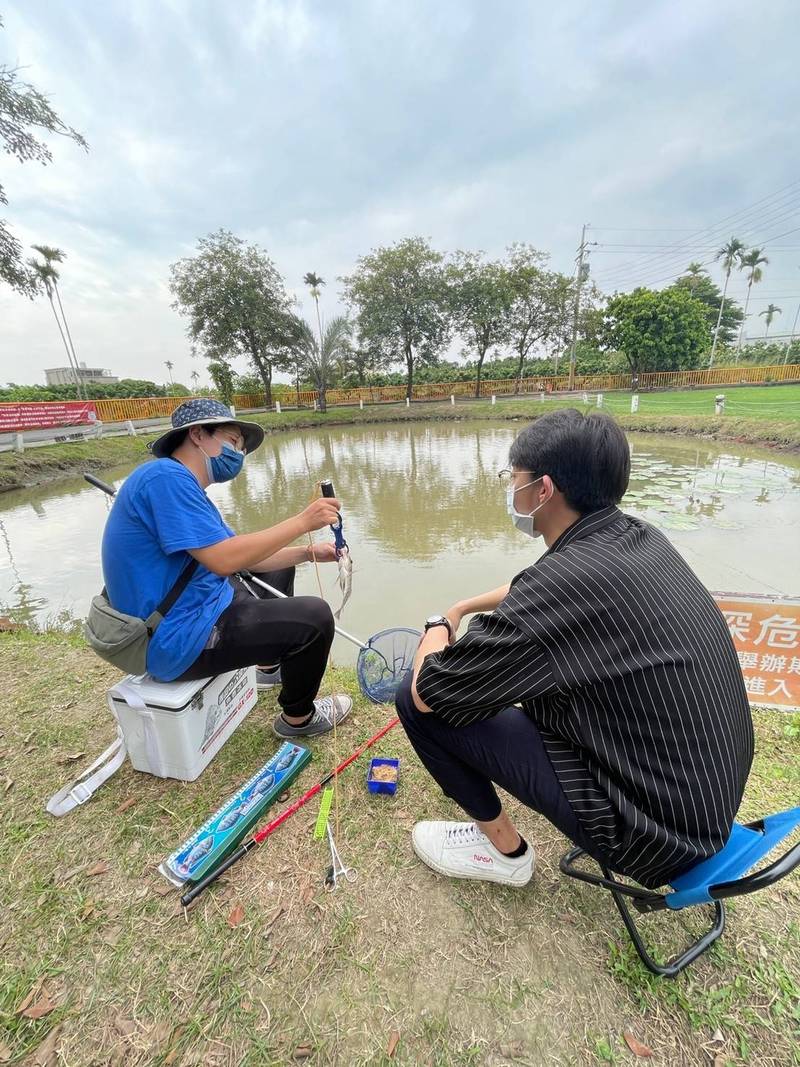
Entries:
{"x":711,"y":882}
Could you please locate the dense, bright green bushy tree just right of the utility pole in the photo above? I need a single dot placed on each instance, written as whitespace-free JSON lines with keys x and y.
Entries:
{"x":655,"y":330}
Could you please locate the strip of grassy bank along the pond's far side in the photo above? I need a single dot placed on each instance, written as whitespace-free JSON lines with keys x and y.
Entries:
{"x":766,"y":417}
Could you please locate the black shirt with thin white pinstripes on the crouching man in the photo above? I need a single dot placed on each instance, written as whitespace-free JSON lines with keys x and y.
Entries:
{"x":621,"y":657}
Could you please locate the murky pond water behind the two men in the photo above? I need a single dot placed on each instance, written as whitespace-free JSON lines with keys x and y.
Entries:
{"x":426,"y":519}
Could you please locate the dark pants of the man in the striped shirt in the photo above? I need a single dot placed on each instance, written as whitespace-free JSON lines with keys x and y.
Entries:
{"x":507,"y":751}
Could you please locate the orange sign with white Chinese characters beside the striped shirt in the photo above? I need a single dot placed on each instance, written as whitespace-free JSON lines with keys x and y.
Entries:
{"x":766,"y":633}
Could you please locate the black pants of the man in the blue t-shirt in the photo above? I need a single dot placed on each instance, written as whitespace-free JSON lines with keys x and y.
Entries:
{"x":266,"y":630}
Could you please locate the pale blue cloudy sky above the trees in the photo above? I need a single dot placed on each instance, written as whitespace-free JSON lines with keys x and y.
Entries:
{"x":322,"y":131}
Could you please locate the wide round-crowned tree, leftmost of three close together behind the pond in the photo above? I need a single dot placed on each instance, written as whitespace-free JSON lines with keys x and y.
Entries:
{"x":399,"y":295}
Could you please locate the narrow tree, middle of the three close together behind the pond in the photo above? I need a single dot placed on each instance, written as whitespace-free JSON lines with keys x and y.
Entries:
{"x":481,"y":297}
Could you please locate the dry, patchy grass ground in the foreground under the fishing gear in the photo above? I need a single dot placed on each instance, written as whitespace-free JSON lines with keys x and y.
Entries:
{"x":269,"y":969}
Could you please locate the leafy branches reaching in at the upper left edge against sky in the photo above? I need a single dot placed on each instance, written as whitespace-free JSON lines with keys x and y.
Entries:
{"x":24,"y":113}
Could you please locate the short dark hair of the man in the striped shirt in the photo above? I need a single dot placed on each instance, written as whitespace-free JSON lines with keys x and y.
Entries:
{"x":587,"y":457}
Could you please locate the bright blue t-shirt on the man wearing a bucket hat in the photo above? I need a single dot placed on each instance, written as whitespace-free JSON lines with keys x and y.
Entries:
{"x":162,"y":512}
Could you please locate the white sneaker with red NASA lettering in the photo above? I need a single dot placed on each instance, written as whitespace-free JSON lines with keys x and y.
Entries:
{"x":461,"y":851}
